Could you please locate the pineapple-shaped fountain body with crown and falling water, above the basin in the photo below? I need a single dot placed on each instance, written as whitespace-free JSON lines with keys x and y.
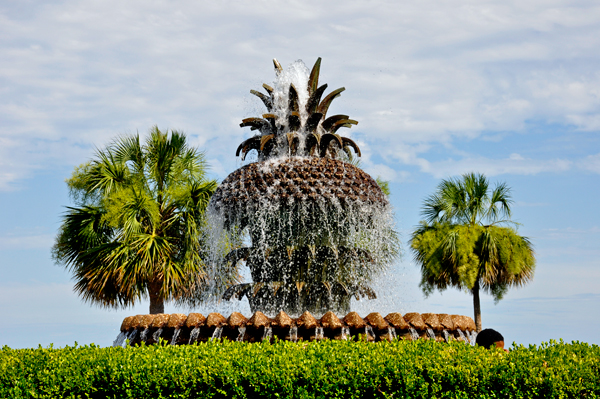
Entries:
{"x":320,"y":228}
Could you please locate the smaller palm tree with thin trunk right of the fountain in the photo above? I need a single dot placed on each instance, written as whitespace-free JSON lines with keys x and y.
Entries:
{"x":465,"y":241}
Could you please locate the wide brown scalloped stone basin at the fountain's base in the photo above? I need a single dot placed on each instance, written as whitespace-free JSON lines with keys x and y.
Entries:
{"x":179,"y":329}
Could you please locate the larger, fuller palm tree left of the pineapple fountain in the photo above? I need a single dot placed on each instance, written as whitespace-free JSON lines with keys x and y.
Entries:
{"x":136,"y":231}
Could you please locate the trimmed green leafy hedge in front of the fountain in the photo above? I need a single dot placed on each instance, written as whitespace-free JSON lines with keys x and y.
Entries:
{"x":329,"y":369}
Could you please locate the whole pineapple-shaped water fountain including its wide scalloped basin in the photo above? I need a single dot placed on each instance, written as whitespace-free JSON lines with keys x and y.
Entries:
{"x":319,"y":228}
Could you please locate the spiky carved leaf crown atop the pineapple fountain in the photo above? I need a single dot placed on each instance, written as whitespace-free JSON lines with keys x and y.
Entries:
{"x":319,"y":132}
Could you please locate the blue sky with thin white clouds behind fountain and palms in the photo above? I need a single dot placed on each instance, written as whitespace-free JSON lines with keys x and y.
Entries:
{"x":506,"y":88}
